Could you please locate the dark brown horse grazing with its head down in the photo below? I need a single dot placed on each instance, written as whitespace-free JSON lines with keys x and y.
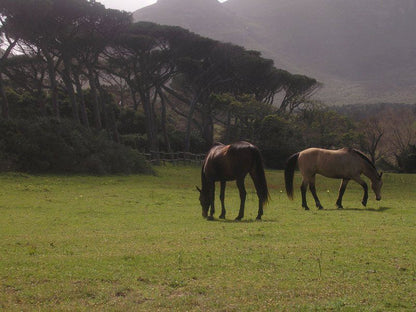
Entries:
{"x":227,"y":163}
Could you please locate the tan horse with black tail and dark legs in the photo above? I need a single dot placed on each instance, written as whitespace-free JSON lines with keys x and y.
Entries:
{"x":346,"y":164}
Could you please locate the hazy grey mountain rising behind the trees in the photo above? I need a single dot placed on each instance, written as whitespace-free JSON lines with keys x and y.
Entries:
{"x":361,"y":50}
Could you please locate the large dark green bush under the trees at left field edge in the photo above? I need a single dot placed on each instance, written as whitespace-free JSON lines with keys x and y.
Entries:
{"x":49,"y":145}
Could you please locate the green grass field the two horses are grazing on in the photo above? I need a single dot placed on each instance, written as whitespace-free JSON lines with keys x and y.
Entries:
{"x":139,"y":243}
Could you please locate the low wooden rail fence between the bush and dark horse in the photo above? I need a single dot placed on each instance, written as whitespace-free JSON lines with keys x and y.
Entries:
{"x":174,"y":157}
